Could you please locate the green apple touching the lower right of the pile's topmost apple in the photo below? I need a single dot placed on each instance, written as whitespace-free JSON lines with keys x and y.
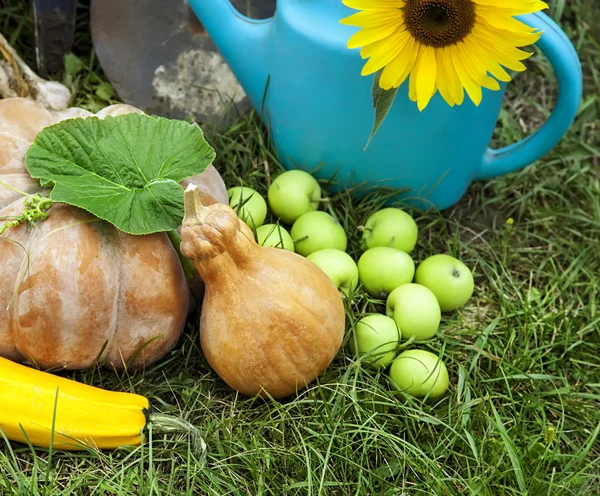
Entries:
{"x":314,"y":231}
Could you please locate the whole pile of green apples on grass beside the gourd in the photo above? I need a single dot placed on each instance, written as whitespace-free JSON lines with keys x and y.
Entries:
{"x":415,"y":296}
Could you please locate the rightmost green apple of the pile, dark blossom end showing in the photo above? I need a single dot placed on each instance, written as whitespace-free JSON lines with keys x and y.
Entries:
{"x":450,"y":280}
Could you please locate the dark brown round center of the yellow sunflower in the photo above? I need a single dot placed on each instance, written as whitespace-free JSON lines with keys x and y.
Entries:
{"x":439,"y":23}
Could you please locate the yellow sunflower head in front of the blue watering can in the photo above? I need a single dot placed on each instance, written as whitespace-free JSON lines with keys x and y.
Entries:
{"x":442,"y":45}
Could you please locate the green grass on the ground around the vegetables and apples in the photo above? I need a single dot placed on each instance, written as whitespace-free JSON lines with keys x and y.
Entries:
{"x":522,"y":416}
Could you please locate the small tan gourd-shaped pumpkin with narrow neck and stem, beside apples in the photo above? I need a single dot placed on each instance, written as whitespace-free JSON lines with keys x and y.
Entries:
{"x":271,"y":320}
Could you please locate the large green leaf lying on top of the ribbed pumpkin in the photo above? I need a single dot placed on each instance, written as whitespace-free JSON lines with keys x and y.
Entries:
{"x":124,"y":169}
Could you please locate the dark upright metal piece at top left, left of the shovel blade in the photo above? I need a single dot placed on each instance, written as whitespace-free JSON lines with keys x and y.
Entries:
{"x":54,"y":33}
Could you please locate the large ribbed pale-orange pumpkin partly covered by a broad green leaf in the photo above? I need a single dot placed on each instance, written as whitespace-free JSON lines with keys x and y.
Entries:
{"x":74,"y":290}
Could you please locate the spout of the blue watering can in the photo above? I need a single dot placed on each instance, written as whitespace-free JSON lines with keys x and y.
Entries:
{"x":243,"y":43}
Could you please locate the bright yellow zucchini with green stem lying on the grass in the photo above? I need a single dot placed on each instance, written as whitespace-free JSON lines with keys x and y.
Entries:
{"x":32,"y":402}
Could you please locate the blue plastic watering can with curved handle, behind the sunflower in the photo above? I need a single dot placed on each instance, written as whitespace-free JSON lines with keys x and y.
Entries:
{"x":306,"y":86}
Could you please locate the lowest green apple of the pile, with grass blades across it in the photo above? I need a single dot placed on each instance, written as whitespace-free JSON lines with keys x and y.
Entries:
{"x":419,"y":373}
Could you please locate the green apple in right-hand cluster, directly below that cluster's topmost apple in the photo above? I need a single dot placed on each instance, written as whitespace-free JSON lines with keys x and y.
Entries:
{"x":382,"y":269}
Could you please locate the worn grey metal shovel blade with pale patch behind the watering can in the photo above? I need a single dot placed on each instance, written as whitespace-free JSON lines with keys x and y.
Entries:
{"x":160,"y":59}
